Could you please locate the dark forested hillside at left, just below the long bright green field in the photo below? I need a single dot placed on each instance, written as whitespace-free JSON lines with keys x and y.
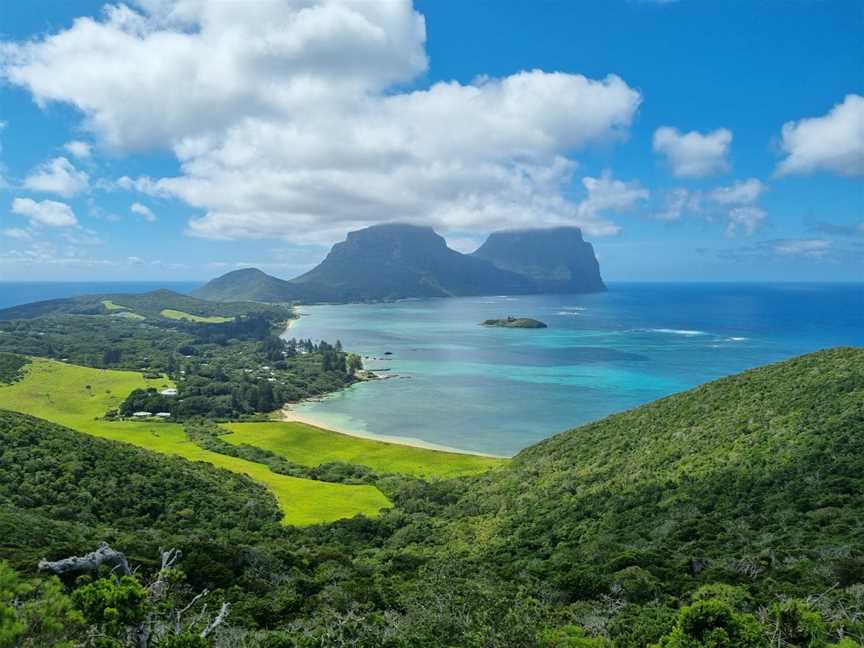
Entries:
{"x":59,"y":488}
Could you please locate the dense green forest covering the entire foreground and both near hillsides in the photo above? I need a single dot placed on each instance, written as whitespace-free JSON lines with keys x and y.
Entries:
{"x":730,"y":515}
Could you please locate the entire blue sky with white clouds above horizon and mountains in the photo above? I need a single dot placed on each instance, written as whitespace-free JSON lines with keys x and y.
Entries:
{"x":178,"y":140}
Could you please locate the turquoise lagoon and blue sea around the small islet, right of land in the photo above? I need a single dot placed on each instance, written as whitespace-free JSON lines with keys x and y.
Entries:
{"x":500,"y":390}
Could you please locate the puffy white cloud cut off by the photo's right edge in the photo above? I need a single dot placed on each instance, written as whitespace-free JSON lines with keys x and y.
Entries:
{"x":833,"y":142}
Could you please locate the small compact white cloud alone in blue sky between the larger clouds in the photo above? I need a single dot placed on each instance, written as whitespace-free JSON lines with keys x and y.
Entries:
{"x":694,"y":155}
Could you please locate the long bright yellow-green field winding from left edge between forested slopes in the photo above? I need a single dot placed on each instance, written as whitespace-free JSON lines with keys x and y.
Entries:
{"x":75,"y":396}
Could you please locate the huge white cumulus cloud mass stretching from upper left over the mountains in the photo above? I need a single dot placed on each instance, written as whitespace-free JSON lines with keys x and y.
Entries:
{"x":293,"y":123}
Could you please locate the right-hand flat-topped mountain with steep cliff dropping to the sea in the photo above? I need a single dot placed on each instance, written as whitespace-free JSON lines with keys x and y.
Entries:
{"x":559,"y":260}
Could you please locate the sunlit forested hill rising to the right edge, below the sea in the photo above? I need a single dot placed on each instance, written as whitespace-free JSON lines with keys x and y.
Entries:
{"x":754,"y":479}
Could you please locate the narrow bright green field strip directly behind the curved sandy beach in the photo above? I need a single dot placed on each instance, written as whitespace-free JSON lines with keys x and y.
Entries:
{"x":312,"y":446}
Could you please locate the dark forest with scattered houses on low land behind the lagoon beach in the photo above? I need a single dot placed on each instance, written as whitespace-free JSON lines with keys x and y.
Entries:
{"x":223,"y":370}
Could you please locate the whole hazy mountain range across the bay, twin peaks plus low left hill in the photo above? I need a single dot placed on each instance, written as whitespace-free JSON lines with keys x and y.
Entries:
{"x":395,"y":261}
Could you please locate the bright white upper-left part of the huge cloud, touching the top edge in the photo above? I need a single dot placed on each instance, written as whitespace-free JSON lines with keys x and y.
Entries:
{"x":232,"y":59}
